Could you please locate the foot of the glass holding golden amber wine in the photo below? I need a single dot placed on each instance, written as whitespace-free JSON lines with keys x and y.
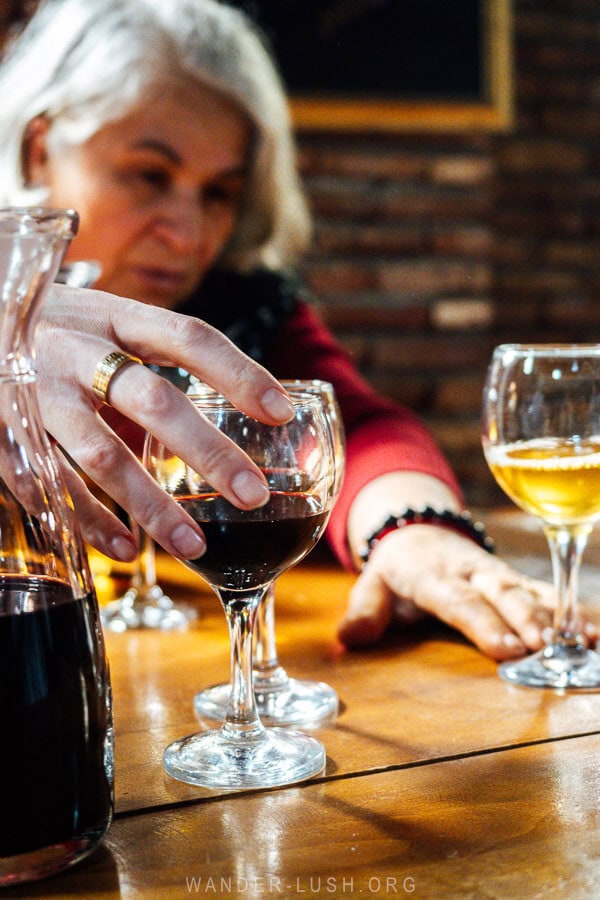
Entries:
{"x":555,"y":667}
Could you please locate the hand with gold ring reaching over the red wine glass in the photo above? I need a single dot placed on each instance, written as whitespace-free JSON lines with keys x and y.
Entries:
{"x":80,"y":327}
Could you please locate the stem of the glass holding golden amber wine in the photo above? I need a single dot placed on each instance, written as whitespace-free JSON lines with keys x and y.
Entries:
{"x":567,"y":544}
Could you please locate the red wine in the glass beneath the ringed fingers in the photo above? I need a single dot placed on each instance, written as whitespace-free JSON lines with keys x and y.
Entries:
{"x":250,"y":548}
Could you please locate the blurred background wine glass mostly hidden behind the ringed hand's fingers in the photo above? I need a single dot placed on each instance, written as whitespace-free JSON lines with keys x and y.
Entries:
{"x":145,"y":604}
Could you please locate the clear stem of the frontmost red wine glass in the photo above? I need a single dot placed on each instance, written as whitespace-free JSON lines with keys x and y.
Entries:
{"x":240,"y":607}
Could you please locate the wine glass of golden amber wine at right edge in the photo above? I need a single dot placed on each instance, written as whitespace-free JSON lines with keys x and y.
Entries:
{"x":541,"y":439}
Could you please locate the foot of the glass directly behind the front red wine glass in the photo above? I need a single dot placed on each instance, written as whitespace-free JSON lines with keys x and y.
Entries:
{"x":295,"y":703}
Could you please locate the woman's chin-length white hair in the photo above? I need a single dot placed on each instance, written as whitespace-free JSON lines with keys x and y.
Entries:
{"x":84,"y":63}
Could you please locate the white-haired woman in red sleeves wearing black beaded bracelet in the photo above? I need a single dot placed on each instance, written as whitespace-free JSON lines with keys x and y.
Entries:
{"x":165,"y":125}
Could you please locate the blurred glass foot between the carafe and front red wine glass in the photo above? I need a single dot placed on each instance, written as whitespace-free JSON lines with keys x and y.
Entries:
{"x":150,"y":609}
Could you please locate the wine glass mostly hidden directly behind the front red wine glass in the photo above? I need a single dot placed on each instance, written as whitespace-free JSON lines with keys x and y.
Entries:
{"x":281,"y":699}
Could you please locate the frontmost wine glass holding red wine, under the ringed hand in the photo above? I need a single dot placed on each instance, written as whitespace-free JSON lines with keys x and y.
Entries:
{"x":246,"y":551}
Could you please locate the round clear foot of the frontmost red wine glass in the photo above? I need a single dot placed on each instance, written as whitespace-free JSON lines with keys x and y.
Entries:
{"x":270,"y":759}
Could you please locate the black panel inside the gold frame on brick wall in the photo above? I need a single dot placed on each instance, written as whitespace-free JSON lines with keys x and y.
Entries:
{"x":417,"y":49}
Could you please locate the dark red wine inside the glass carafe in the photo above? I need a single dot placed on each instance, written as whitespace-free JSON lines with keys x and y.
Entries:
{"x":56,"y":748}
